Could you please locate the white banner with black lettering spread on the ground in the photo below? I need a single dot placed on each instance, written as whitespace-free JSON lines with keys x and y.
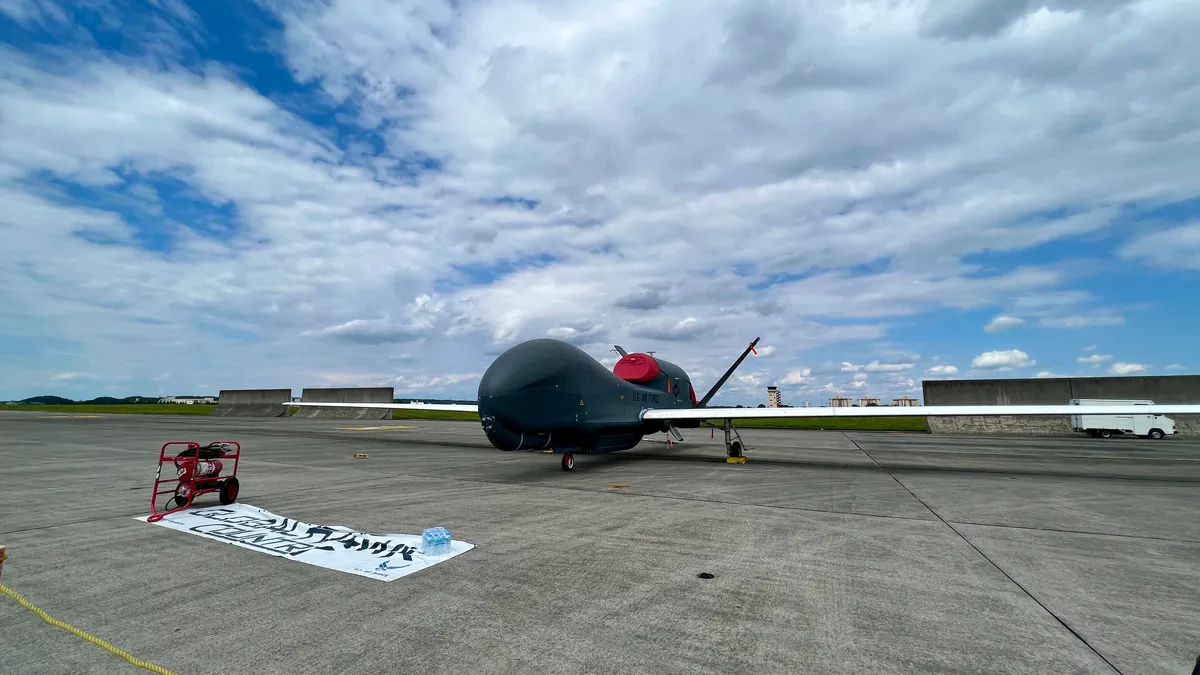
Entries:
{"x":377,"y":557}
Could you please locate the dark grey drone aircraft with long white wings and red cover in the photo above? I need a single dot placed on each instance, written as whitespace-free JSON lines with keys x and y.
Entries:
{"x":548,"y":395}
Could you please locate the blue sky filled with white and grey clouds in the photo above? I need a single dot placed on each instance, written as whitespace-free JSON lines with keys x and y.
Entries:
{"x":286,"y":194}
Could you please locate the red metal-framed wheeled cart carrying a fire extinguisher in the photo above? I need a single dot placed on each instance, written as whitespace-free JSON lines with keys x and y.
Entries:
{"x":199,"y":470}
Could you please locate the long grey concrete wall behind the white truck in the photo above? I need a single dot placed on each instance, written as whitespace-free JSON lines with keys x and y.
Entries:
{"x":1053,"y":391}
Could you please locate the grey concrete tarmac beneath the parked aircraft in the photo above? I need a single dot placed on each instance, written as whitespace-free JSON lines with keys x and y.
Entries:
{"x":832,"y":553}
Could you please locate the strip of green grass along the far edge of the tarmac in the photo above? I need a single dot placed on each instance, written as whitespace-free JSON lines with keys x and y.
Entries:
{"x":831,"y":423}
